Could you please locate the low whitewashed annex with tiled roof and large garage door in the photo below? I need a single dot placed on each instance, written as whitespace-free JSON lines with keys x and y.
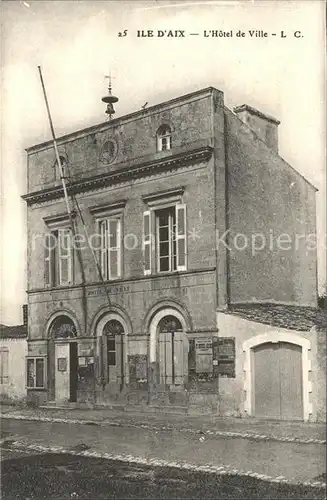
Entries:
{"x":280,"y":370}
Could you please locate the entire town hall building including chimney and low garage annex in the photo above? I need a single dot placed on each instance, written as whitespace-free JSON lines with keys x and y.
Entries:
{"x":179,"y":283}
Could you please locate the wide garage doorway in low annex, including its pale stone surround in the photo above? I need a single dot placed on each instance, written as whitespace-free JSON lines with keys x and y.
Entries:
{"x":276,"y":376}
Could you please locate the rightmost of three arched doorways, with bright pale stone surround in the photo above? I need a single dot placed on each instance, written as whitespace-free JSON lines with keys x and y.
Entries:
{"x":169,"y":349}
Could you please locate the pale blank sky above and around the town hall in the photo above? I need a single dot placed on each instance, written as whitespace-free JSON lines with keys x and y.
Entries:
{"x":77,"y":44}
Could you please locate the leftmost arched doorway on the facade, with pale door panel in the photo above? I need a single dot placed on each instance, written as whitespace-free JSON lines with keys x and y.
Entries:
{"x":62,"y":359}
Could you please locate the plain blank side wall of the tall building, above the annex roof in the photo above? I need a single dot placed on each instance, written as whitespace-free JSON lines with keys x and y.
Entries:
{"x":267,"y":200}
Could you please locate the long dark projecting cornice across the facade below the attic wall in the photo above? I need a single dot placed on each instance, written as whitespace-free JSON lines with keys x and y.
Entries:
{"x":140,"y":170}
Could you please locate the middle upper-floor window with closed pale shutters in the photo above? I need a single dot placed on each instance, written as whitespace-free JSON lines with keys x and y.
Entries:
{"x":110,"y":234}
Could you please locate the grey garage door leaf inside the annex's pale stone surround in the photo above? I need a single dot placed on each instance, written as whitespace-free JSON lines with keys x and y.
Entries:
{"x":278,"y":381}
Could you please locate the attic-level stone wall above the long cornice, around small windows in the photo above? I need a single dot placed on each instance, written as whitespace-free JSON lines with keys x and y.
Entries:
{"x":134,"y":134}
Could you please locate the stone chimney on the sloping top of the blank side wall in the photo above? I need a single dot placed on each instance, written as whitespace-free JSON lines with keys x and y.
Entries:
{"x":264,"y":126}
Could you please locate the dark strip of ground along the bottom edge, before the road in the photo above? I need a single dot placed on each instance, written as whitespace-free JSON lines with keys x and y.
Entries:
{"x":65,"y":476}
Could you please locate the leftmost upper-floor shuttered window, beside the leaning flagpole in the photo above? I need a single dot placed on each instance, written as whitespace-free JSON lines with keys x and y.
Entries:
{"x":58,"y":258}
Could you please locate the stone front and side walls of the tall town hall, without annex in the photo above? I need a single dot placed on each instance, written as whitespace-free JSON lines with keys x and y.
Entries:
{"x":220,"y":176}
